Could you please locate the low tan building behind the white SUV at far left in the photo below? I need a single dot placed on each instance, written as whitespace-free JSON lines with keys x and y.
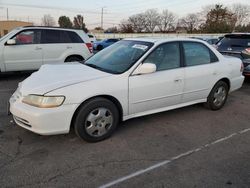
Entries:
{"x":7,"y":26}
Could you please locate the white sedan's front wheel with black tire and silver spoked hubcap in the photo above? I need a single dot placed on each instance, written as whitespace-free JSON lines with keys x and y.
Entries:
{"x":96,"y":120}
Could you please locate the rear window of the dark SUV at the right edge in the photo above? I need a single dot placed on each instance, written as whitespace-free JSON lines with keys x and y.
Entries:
{"x":235,"y":41}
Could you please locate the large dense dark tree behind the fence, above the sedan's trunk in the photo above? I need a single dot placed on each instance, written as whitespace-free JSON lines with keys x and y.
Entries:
{"x":219,"y":20}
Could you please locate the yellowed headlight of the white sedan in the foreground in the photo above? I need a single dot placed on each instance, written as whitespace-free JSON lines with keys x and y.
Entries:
{"x":43,"y":101}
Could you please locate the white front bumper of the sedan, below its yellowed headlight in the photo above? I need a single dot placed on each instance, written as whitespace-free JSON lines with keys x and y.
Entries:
{"x":43,"y":121}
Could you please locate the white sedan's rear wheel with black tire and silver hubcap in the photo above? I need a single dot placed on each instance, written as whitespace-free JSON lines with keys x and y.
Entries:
{"x":218,"y":96}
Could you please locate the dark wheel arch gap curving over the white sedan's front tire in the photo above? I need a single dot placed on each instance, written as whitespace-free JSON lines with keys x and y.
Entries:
{"x":108,"y":97}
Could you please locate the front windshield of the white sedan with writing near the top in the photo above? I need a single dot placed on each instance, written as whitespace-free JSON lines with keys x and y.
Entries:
{"x":119,"y":57}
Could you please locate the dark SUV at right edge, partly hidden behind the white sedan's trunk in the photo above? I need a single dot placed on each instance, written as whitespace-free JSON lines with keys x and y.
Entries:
{"x":237,"y":45}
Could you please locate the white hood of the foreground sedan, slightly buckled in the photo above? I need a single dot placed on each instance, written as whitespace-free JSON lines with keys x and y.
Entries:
{"x":52,"y":77}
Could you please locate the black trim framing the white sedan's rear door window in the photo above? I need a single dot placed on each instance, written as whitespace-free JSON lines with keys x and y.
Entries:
{"x":211,"y":53}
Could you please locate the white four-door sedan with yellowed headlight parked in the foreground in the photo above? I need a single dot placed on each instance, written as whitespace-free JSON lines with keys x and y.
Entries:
{"x":131,"y":78}
